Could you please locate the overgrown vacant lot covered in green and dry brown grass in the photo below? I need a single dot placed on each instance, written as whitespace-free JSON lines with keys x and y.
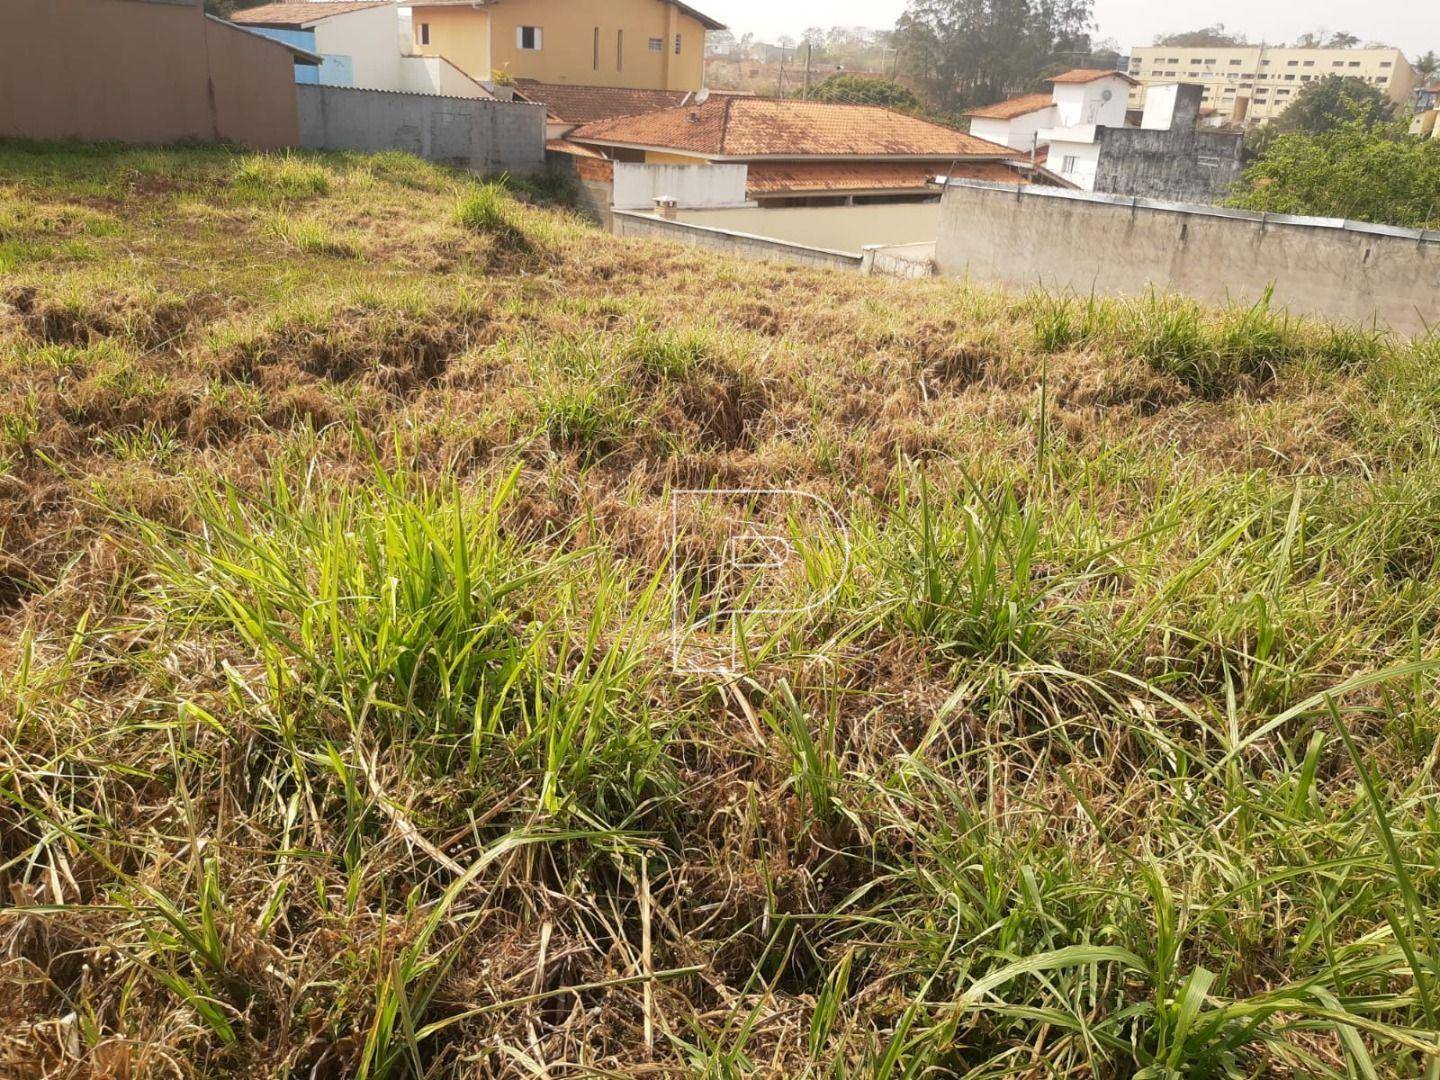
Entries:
{"x":339,"y":724}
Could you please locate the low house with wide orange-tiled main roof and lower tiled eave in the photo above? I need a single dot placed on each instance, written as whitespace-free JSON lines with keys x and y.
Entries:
{"x":804,"y":153}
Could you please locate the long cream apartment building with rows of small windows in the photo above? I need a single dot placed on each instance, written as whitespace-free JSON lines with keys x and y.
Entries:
{"x":1255,"y":84}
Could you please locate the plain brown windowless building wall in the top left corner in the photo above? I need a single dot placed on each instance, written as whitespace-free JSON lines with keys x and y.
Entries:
{"x":143,"y":71}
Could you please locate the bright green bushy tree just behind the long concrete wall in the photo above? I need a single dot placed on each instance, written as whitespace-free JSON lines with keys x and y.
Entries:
{"x":1362,"y":172}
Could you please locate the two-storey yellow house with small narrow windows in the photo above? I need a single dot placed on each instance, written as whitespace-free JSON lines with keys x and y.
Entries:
{"x":637,"y":44}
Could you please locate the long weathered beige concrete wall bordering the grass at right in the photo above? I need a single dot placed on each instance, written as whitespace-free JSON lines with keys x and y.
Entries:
{"x":1025,"y":238}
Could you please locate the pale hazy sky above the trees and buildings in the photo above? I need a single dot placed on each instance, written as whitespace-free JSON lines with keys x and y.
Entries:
{"x":1413,"y":25}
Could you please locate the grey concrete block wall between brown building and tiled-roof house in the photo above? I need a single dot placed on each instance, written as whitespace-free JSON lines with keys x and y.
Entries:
{"x":477,"y":135}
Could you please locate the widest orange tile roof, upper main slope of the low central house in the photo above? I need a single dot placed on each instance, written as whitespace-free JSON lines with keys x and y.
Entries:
{"x":765,"y":127}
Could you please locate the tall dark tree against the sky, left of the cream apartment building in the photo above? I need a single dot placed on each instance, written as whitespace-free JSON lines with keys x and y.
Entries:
{"x":971,"y":53}
